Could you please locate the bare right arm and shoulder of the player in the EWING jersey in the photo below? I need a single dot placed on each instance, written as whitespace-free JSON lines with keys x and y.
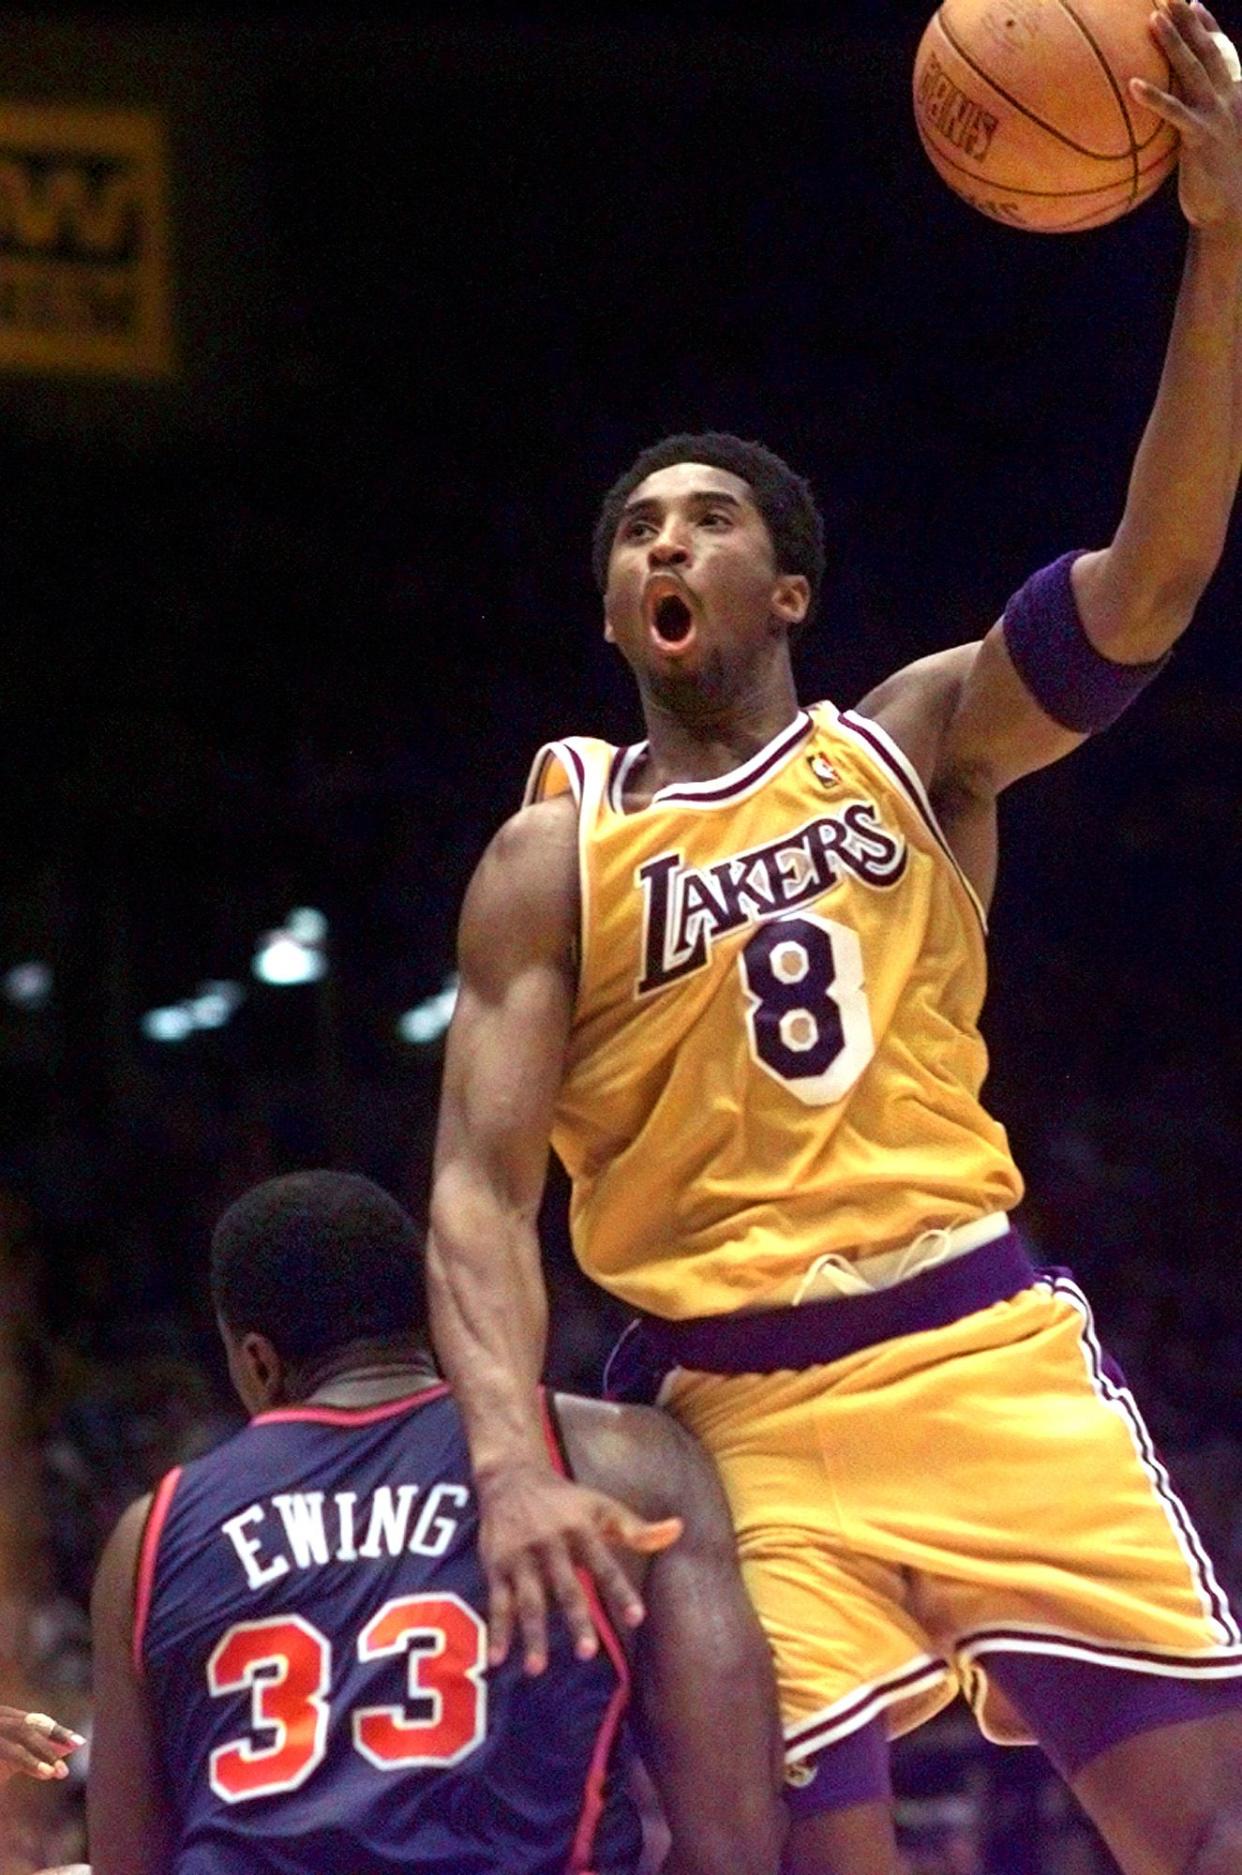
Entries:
{"x":701,"y":1653}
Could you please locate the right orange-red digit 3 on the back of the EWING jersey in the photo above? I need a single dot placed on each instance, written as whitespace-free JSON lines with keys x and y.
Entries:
{"x":447,"y":1653}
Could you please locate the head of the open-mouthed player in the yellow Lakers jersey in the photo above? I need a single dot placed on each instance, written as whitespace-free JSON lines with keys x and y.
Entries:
{"x":710,"y":556}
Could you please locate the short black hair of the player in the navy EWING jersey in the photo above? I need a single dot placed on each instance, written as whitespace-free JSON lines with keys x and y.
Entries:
{"x":316,"y":1261}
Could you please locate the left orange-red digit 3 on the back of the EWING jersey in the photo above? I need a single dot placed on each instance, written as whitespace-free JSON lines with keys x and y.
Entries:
{"x":286,"y":1664}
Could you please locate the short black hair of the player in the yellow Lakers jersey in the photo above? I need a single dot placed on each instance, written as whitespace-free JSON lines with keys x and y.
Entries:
{"x":781,"y":496}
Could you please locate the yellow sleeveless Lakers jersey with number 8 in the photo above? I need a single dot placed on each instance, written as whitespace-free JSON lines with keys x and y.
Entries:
{"x":776,"y":1064}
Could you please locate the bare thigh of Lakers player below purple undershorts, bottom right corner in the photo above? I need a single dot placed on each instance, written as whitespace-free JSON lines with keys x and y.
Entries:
{"x":1170,"y":1801}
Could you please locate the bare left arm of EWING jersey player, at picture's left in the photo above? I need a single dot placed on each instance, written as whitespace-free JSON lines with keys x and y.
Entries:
{"x":129,"y":1818}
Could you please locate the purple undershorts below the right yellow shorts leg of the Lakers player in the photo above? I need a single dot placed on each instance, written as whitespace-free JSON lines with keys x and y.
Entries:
{"x":1080,"y":1709}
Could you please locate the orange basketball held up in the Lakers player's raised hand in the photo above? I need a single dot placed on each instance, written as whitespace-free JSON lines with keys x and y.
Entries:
{"x":1025,"y":110}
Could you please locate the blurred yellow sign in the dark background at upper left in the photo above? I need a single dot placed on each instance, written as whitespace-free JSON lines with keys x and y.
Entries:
{"x":83,"y":241}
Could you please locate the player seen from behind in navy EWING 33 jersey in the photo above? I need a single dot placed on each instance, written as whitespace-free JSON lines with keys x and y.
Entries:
{"x":290,"y":1638}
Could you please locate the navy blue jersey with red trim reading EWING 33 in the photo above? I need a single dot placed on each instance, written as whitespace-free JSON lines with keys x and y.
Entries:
{"x":310,"y":1623}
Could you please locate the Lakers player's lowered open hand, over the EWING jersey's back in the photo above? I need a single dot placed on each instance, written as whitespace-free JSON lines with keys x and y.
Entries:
{"x":538,"y":1533}
